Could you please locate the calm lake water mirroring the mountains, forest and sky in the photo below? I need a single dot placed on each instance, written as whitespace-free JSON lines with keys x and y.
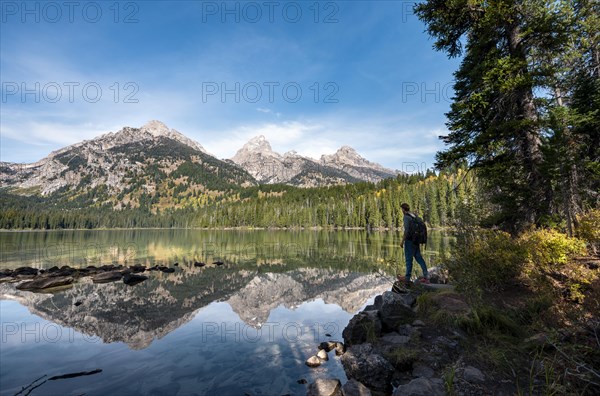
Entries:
{"x":242,"y":328}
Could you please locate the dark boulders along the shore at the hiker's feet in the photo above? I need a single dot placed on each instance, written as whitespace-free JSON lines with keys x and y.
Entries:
{"x":391,"y":348}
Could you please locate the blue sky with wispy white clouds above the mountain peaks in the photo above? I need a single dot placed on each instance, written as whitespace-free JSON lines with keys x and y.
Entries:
{"x":310,"y":76}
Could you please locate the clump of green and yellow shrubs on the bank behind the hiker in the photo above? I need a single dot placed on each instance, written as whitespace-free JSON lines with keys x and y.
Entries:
{"x":492,"y":260}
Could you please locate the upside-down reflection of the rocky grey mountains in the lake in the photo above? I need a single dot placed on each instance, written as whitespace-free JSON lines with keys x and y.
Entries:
{"x":137,"y":315}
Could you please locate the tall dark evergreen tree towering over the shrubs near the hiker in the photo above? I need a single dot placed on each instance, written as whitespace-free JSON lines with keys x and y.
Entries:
{"x":494,"y":120}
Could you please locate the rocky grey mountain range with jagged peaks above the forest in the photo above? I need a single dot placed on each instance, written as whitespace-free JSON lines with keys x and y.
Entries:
{"x":156,"y":164}
